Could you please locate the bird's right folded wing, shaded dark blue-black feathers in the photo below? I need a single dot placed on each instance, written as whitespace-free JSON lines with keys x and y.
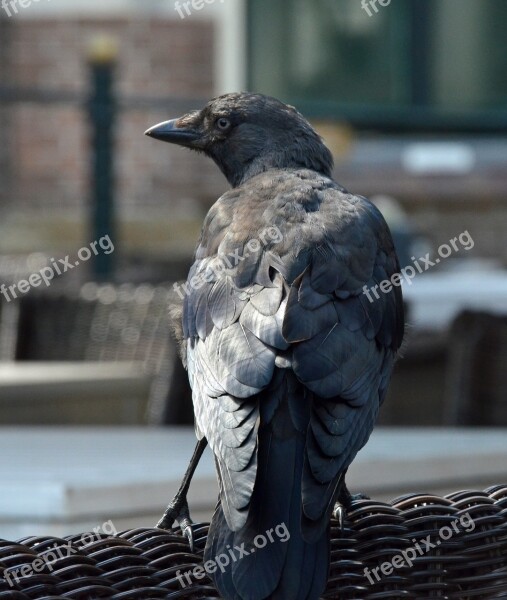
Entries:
{"x":344,"y":342}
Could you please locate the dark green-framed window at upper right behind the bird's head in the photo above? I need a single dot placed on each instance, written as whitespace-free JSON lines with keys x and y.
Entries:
{"x":414,"y":63}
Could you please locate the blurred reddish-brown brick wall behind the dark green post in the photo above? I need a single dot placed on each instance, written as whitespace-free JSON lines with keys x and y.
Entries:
{"x":48,"y":144}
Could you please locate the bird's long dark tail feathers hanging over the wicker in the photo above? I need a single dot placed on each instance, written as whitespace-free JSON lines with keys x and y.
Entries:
{"x":271,"y":555}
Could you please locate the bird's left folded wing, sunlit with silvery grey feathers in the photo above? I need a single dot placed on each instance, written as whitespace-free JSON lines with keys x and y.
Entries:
{"x":233,"y":310}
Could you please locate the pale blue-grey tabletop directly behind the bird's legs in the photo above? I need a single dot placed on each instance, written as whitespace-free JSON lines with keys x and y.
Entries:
{"x":65,"y":480}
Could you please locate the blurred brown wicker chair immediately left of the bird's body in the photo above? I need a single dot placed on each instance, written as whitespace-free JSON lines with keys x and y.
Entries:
{"x":106,"y":322}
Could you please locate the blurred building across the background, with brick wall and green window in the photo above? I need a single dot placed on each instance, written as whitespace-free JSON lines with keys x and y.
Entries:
{"x":411,"y":97}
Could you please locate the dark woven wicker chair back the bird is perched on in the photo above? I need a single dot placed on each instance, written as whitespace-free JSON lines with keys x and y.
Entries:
{"x":144,"y":563}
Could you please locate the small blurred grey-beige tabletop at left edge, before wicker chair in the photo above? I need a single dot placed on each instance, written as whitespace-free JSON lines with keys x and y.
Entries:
{"x":57,"y":393}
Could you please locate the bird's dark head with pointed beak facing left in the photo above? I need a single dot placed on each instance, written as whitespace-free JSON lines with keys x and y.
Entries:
{"x":246,"y":134}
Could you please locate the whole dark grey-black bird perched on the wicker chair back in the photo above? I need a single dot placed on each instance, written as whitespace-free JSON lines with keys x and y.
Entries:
{"x":288,"y":358}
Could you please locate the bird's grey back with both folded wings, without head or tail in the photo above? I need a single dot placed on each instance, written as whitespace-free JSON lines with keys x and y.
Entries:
{"x":293,"y":299}
